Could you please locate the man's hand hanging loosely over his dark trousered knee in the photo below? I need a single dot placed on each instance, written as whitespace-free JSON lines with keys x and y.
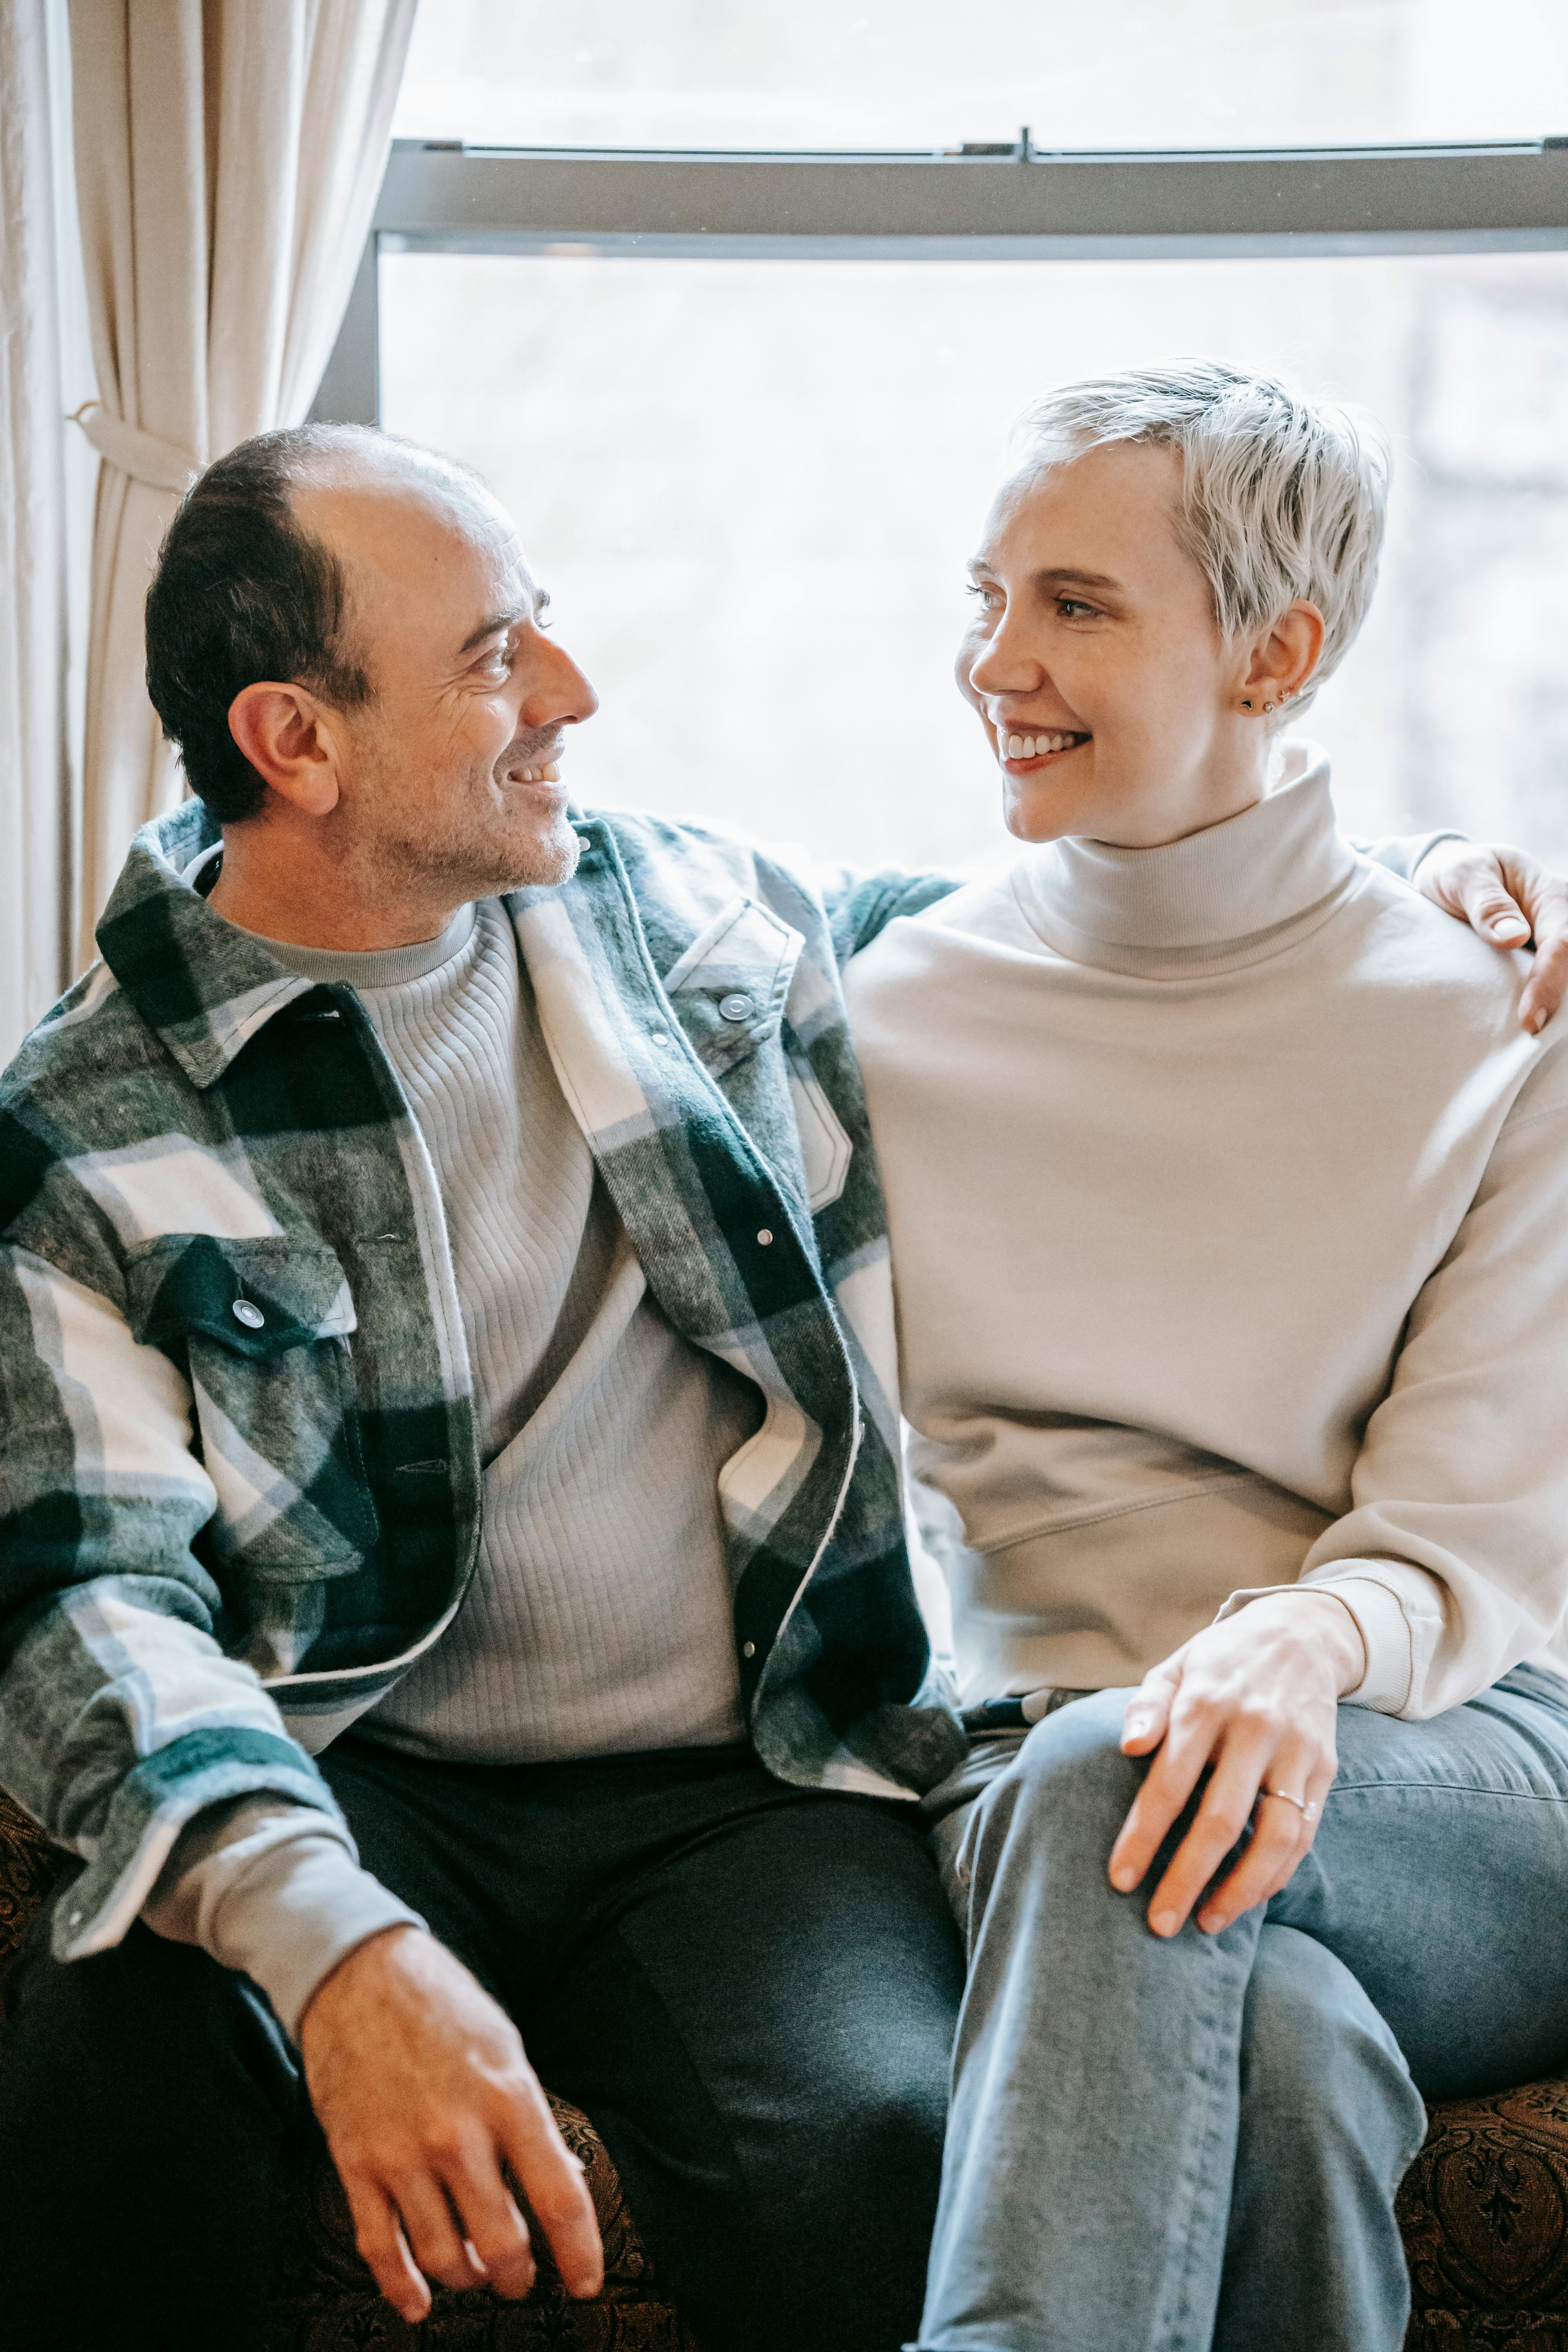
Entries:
{"x":422,"y":2090}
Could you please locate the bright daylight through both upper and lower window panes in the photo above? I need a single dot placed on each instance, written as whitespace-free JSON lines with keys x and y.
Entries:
{"x":753,"y":483}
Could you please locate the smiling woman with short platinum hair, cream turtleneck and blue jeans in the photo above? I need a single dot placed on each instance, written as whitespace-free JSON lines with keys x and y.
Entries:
{"x":1231,"y":1222}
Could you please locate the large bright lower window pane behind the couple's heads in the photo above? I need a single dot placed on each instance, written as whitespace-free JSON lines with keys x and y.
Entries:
{"x":751,"y":490}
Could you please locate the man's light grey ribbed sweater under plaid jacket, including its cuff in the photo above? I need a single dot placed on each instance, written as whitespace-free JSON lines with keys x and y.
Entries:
{"x":601,"y":1612}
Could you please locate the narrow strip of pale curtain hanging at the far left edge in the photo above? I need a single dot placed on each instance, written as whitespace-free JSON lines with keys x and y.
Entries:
{"x":34,"y":643}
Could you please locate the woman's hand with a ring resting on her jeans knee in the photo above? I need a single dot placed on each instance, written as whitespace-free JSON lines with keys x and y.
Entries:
{"x":1257,"y":1699}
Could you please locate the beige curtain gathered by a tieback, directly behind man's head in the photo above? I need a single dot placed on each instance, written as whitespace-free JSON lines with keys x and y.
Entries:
{"x":227,"y":161}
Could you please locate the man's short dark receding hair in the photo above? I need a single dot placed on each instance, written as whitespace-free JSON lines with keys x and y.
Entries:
{"x":243,"y":594}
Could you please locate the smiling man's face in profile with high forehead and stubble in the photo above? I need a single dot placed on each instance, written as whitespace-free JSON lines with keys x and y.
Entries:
{"x":450,"y":773}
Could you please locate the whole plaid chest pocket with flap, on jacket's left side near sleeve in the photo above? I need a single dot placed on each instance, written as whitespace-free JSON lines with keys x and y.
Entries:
{"x":264,"y":1337}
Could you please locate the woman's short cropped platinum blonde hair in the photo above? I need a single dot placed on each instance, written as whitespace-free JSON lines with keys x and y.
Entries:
{"x":1282,"y":497}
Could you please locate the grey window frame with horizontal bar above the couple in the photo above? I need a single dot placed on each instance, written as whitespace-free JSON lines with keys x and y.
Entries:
{"x":1021,"y":206}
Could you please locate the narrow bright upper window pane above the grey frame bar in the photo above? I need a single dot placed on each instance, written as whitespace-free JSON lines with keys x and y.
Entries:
{"x":920,"y":74}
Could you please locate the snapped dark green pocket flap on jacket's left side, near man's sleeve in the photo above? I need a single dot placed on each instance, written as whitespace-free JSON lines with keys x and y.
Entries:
{"x":290,"y":1292}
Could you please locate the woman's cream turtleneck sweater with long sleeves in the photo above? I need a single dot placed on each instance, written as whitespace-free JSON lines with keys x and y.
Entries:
{"x":1231,"y":1236}
